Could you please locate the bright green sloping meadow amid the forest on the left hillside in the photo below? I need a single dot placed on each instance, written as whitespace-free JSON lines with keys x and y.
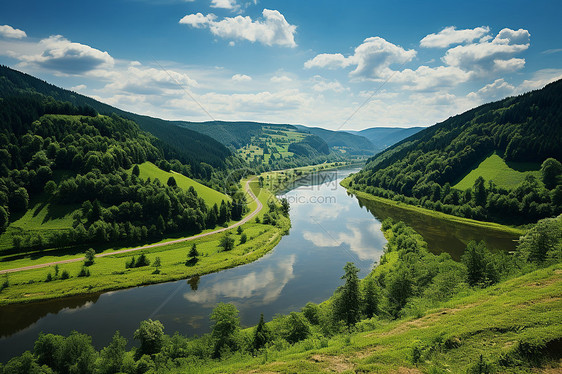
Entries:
{"x":149,"y":170}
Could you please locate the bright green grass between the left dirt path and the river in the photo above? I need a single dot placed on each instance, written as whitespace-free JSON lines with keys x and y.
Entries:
{"x":109,"y":273}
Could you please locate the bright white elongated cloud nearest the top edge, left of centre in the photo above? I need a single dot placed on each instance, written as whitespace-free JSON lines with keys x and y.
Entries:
{"x":273,"y":29}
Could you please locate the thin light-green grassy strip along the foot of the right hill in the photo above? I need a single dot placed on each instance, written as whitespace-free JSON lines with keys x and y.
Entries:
{"x":432,"y":213}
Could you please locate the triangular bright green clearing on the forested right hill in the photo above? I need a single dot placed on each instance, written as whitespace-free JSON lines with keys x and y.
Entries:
{"x":507,"y":175}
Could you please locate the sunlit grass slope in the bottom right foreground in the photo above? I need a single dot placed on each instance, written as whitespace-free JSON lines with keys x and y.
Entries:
{"x":451,"y":338}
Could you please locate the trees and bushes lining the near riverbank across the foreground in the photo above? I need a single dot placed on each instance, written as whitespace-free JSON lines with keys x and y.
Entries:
{"x":409,"y":281}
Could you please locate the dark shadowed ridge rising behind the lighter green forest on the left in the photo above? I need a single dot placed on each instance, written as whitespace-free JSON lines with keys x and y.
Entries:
{"x":188,"y":146}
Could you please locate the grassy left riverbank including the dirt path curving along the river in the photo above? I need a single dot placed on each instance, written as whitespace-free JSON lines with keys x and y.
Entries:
{"x":109,"y":273}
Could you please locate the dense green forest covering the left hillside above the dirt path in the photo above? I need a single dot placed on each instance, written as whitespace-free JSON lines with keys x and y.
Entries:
{"x":72,"y":156}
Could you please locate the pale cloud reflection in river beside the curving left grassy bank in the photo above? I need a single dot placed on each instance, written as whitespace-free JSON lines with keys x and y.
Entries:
{"x":263,"y":286}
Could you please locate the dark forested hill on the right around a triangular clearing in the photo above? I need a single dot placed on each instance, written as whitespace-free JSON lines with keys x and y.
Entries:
{"x":525,"y":131}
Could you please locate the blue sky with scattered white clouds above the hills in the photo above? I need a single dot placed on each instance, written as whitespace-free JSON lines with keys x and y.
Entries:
{"x":333,"y":64}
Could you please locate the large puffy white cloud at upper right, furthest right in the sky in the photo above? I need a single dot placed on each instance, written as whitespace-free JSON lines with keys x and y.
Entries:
{"x":491,"y":56}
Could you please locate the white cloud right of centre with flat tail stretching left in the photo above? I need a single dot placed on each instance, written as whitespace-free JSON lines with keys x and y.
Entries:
{"x":372,"y":59}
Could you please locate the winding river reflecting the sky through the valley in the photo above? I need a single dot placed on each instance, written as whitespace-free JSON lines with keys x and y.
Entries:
{"x":329,"y":228}
